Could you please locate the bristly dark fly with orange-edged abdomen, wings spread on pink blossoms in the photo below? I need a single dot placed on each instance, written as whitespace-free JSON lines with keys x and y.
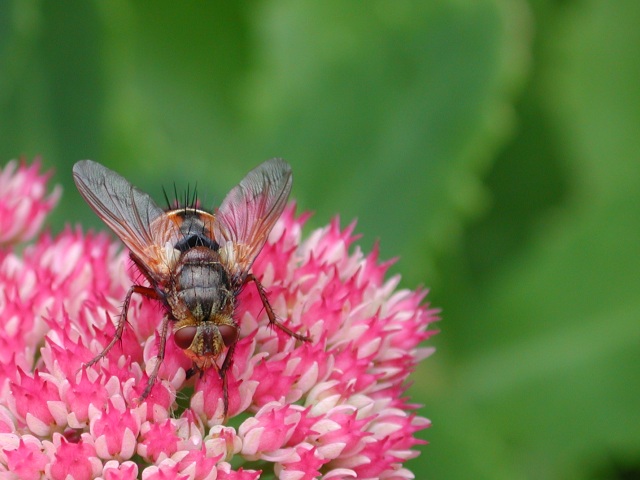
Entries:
{"x":196,"y":262}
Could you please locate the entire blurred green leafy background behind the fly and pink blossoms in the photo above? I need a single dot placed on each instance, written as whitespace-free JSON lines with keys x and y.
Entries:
{"x":492,"y":145}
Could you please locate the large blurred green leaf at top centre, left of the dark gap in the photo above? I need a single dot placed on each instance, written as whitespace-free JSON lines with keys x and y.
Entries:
{"x":387,"y":109}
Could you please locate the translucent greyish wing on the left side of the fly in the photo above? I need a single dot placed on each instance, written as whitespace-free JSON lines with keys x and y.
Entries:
{"x":133,"y":216}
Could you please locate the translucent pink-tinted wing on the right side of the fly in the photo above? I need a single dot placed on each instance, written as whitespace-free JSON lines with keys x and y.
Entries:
{"x":249,"y":212}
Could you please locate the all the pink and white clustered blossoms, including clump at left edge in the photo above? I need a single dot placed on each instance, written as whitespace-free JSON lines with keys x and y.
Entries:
{"x":333,"y":408}
